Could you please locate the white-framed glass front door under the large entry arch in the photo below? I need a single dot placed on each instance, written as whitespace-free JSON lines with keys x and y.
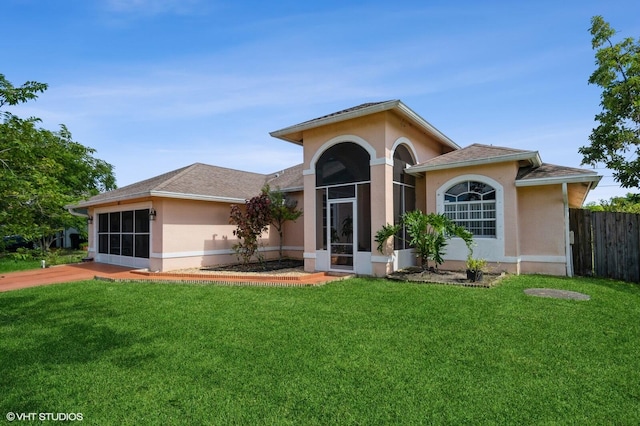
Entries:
{"x":341,"y":234}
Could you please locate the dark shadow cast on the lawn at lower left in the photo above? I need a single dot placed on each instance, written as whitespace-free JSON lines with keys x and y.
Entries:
{"x":42,"y":335}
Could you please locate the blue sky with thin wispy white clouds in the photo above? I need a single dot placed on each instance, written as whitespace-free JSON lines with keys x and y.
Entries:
{"x":154,"y":85}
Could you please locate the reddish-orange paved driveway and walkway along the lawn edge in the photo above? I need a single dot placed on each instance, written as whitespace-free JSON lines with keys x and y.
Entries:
{"x":89,"y":271}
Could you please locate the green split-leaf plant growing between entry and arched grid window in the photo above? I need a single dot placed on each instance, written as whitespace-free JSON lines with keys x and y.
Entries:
{"x":428,"y":234}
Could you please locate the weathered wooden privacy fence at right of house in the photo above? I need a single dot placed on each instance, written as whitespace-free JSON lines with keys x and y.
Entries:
{"x":606,"y":244}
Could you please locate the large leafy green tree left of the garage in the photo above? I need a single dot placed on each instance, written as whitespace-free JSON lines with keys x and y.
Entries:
{"x":41,"y":171}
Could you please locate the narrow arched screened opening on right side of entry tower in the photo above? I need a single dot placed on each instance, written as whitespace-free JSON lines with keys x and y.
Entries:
{"x":404,"y":191}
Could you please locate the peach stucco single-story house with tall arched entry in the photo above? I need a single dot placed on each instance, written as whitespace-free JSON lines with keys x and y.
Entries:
{"x":362,"y":168}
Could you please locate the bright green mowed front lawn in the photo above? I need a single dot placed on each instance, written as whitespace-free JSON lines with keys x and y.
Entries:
{"x":360,"y":351}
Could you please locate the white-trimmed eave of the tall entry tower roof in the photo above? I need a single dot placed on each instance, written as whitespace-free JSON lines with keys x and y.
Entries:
{"x":287,"y":134}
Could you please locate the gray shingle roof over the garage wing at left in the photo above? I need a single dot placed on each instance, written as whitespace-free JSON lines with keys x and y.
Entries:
{"x":203,"y":181}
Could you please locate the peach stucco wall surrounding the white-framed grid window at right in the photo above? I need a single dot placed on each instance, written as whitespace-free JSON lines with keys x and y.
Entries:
{"x":530,"y":221}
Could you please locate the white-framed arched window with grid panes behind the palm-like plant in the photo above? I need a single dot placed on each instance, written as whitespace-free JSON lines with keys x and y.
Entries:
{"x":472,"y":204}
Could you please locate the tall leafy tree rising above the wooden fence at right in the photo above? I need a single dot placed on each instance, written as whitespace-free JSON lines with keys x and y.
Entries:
{"x":616,"y":140}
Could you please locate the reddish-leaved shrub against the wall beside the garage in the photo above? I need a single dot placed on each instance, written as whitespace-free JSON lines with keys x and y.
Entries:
{"x":250,"y":224}
